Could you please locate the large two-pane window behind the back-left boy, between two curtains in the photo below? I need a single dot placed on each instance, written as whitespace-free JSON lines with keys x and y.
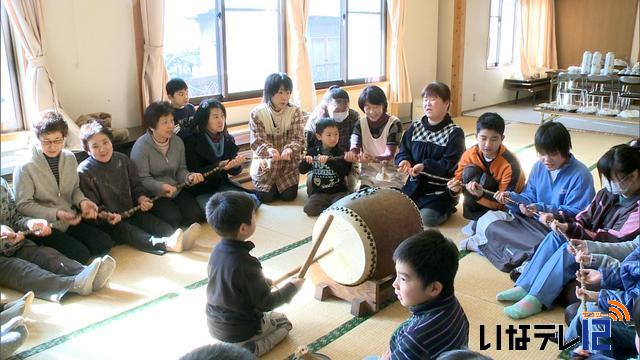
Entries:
{"x":223,"y":47}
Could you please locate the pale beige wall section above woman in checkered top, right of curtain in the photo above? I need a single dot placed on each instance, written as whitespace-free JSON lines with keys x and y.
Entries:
{"x":421,"y":47}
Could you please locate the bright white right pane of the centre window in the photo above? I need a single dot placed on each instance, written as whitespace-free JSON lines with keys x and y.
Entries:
{"x":364,"y":46}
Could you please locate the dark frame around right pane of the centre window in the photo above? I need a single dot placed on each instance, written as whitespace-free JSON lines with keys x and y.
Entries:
{"x":344,"y":50}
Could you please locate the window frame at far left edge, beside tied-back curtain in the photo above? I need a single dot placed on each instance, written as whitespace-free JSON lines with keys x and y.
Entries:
{"x":10,"y":52}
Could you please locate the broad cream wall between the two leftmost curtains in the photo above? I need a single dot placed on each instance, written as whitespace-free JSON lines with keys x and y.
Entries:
{"x":91,"y":56}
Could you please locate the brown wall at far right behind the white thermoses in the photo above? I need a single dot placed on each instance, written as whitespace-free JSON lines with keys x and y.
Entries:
{"x":594,"y":25}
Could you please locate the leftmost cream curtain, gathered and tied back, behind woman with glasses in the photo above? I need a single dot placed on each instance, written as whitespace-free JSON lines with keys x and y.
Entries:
{"x":27,"y":24}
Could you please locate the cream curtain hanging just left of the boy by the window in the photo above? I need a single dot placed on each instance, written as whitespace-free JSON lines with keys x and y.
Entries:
{"x":154,"y":72}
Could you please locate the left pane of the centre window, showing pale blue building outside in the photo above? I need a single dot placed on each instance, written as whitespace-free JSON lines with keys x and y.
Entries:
{"x":323,"y":37}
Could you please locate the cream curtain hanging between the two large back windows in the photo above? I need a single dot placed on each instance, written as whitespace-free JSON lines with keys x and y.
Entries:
{"x":298,"y":65}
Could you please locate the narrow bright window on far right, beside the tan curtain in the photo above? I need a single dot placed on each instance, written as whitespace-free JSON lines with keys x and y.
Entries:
{"x":502,"y":28}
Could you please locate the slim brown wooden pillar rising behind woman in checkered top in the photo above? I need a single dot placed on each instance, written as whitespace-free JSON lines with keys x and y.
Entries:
{"x":457,"y":58}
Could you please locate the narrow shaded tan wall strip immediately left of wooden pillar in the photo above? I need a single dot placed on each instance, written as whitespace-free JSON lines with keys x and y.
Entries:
{"x":445,"y":40}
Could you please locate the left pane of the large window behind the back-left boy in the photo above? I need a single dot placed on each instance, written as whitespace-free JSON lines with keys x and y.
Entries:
{"x":190,"y":44}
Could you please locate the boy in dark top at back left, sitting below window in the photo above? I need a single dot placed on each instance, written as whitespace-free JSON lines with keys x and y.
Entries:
{"x":183,"y":111}
